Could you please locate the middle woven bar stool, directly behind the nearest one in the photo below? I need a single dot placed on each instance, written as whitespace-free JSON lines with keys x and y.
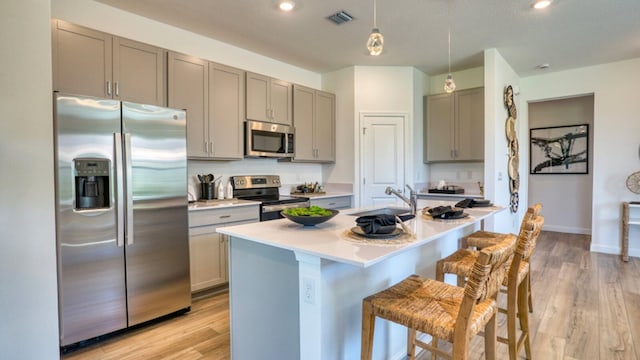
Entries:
{"x":516,"y":283}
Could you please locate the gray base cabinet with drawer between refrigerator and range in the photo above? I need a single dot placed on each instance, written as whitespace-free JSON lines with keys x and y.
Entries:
{"x":208,"y":250}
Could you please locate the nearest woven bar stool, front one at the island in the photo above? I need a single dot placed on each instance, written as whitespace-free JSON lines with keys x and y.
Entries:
{"x":442,"y":310}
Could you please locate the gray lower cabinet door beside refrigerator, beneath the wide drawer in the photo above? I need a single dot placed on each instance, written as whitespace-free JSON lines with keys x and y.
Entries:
{"x":207,"y":251}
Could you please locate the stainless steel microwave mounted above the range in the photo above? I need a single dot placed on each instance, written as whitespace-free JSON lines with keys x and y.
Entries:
{"x":264,"y":139}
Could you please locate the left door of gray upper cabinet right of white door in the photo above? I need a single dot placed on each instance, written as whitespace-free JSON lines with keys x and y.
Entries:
{"x":439,"y":128}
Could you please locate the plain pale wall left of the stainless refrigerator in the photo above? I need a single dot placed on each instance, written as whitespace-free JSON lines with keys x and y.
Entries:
{"x":28,"y":300}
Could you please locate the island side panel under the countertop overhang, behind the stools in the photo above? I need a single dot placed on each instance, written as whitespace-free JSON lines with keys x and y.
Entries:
{"x":342,"y":288}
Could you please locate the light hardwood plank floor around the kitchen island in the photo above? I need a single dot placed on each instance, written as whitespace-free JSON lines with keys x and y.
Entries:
{"x":586,"y":306}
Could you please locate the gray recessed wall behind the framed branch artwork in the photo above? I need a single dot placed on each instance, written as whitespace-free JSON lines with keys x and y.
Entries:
{"x":566,"y":199}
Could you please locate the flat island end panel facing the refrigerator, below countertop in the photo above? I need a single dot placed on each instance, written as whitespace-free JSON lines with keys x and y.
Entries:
{"x":263,"y":300}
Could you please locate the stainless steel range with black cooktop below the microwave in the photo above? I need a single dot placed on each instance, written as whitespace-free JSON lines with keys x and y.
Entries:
{"x":265,"y":188}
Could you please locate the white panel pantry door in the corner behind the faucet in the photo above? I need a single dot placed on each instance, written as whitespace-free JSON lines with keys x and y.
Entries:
{"x":382,"y":139}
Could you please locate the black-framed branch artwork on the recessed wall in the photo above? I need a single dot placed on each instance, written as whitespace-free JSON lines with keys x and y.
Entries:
{"x":560,"y":150}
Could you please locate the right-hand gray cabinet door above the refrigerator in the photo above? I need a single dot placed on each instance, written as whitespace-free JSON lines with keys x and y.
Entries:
{"x":138,"y":72}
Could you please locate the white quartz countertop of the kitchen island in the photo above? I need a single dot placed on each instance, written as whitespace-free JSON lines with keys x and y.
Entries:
{"x":330,"y":241}
